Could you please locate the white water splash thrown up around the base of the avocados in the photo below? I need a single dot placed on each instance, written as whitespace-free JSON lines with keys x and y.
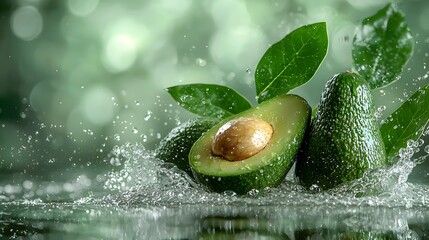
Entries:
{"x":148,"y":181}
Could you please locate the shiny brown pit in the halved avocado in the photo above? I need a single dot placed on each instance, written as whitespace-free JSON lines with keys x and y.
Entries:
{"x":241,"y":138}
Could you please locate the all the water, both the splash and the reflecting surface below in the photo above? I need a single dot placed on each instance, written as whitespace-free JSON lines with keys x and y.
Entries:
{"x":147,"y":198}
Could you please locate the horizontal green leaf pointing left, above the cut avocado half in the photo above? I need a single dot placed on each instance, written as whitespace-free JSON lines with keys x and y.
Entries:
{"x":209,"y":100}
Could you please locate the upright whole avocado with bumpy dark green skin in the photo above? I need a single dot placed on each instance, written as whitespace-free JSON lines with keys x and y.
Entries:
{"x":344,"y":139}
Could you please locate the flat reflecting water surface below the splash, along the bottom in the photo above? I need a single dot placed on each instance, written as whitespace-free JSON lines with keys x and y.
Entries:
{"x":71,"y":221}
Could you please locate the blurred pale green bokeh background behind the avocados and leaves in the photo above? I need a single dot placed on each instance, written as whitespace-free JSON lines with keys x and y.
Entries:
{"x":78,"y":77}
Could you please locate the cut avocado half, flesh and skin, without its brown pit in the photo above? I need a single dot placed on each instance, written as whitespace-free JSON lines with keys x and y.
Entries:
{"x":289,"y":115}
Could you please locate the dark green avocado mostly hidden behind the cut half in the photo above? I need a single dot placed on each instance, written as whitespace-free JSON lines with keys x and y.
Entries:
{"x":175,"y":147}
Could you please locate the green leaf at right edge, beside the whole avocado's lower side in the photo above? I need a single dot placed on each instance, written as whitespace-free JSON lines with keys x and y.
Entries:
{"x":406,"y":123}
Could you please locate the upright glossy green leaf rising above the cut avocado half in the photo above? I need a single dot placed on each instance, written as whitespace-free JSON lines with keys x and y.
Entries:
{"x":292,"y":61}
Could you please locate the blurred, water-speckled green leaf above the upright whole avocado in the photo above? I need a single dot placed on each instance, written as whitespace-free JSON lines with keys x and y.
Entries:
{"x":382,"y":45}
